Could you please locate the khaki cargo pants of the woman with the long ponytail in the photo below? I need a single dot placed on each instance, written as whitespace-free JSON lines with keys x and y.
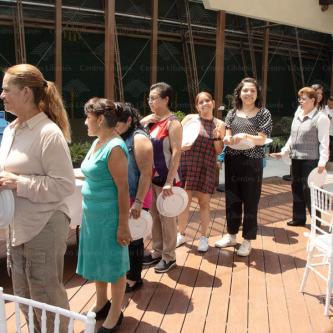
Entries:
{"x":37,"y":269}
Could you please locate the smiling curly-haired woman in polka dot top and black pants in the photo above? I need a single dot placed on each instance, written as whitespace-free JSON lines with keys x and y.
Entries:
{"x":247,"y":127}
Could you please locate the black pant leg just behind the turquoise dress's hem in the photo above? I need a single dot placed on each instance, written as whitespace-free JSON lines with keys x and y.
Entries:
{"x":136,"y":250}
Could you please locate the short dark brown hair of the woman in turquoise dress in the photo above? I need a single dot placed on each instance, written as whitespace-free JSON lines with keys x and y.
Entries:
{"x":102,"y":106}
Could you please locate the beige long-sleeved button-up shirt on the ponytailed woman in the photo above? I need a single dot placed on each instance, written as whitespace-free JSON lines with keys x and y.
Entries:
{"x":37,"y":151}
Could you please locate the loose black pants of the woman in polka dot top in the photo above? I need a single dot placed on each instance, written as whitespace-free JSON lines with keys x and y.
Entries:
{"x":243,"y":179}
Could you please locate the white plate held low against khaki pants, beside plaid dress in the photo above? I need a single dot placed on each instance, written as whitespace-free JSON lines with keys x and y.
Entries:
{"x":173,"y":205}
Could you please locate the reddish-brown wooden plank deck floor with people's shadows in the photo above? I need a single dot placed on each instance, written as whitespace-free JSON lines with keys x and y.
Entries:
{"x":219,"y":291}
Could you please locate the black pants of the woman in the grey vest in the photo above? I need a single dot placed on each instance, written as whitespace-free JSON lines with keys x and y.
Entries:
{"x":300,"y":170}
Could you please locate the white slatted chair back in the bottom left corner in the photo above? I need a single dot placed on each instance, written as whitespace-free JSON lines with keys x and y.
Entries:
{"x":88,"y":320}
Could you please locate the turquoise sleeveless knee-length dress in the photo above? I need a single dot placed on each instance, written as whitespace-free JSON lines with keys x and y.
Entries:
{"x":100,"y":256}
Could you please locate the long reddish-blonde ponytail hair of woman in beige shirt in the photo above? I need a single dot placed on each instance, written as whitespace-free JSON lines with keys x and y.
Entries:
{"x":45,"y":93}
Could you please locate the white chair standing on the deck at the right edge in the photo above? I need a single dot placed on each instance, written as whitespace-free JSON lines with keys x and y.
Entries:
{"x":320,"y":243}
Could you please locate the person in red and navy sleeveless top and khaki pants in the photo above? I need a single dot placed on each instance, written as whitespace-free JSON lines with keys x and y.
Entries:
{"x":166,"y":134}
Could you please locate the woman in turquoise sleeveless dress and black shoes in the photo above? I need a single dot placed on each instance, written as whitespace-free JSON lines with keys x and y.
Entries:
{"x":104,"y":238}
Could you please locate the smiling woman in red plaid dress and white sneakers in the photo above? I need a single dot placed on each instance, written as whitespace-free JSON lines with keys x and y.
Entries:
{"x":198,"y":164}
